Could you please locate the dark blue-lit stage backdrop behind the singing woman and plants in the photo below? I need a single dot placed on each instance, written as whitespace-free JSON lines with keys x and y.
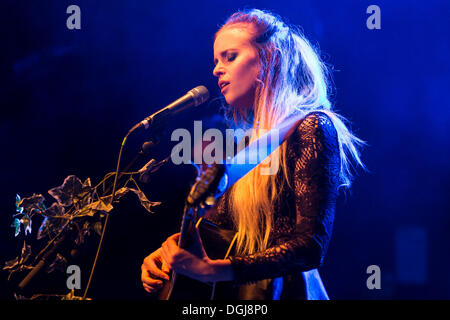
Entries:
{"x":69,"y":96}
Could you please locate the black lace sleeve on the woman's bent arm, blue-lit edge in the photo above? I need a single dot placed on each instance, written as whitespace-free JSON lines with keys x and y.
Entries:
{"x":313,"y":154}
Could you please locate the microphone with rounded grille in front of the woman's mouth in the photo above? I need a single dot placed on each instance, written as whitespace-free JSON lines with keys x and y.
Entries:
{"x":194,"y":97}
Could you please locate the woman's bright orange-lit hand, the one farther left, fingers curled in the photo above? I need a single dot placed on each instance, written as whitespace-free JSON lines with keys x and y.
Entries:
{"x":154,"y":268}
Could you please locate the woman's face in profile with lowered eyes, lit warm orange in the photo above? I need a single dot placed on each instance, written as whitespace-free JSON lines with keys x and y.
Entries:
{"x":236,"y":65}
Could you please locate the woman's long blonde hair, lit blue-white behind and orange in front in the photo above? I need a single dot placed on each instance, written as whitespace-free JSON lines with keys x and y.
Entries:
{"x":293,"y":80}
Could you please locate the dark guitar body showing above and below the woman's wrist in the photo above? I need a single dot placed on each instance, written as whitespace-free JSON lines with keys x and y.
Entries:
{"x":217,"y":243}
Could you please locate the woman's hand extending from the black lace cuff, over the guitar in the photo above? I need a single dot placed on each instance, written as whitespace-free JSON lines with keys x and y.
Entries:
{"x":195,"y":263}
